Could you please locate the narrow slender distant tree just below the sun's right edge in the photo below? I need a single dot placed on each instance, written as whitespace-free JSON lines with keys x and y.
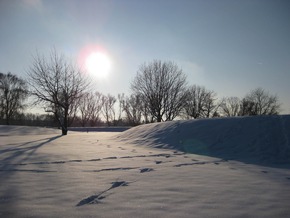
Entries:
{"x":108,"y":109}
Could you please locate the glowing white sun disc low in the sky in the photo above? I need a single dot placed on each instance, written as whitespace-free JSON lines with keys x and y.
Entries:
{"x":98,"y":64}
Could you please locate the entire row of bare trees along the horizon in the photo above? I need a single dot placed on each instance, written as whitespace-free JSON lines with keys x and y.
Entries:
{"x":159,"y":92}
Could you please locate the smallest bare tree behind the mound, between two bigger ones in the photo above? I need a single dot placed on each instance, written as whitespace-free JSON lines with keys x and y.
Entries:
{"x":230,"y":106}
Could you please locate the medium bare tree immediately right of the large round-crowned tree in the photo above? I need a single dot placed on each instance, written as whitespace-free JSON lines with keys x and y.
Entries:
{"x":200,"y":102}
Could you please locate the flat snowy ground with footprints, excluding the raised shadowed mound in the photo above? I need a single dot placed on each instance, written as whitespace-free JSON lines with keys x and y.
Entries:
{"x":96,"y":174}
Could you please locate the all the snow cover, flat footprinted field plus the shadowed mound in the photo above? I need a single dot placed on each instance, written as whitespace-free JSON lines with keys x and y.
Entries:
{"x":237,"y":167}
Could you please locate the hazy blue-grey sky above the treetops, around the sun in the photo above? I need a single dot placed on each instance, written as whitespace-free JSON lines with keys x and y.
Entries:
{"x":228,"y":46}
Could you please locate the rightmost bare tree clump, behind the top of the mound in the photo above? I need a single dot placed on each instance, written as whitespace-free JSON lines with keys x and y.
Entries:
{"x":259,"y":102}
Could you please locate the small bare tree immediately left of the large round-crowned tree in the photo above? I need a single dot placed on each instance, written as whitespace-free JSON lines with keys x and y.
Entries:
{"x":133,"y":109}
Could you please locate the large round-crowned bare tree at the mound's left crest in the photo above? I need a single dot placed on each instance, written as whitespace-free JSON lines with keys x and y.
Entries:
{"x":162,"y":87}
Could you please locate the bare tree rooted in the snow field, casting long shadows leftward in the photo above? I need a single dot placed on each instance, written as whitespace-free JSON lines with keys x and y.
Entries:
{"x":58,"y":85}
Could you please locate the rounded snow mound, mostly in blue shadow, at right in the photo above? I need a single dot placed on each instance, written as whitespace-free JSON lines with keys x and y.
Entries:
{"x":263,"y":139}
